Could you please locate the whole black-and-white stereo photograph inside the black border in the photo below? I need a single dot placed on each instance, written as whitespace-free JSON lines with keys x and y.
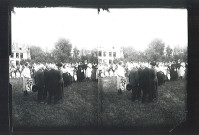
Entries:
{"x":89,"y":67}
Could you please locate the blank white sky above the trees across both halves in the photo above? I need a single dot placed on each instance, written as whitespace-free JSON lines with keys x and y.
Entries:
{"x":85,"y":28}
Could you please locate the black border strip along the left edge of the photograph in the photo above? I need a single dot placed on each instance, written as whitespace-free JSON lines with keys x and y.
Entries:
{"x":4,"y":65}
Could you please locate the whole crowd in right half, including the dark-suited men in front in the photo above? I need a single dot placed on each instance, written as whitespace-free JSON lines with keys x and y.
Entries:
{"x":142,"y":78}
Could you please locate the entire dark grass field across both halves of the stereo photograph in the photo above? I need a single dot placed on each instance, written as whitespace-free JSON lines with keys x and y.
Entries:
{"x":80,"y":107}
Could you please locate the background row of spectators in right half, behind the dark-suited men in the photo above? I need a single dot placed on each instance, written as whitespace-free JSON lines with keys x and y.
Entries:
{"x":106,"y":70}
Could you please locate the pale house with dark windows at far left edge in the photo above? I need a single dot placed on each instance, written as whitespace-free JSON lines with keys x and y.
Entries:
{"x":19,"y":52}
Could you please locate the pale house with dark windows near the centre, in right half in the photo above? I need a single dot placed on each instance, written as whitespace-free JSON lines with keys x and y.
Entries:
{"x":108,"y":54}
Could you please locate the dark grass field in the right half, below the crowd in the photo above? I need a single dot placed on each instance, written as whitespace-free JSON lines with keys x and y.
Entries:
{"x":167,"y":112}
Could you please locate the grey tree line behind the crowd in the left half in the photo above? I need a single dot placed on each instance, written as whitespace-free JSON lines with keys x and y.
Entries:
{"x":63,"y":52}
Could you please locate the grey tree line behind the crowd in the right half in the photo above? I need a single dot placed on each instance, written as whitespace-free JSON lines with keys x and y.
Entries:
{"x":158,"y":52}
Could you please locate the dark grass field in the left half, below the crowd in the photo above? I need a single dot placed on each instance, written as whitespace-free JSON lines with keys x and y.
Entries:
{"x":79,"y":108}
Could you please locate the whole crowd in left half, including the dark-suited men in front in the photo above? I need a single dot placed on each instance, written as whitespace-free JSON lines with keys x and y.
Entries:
{"x":50,"y":79}
